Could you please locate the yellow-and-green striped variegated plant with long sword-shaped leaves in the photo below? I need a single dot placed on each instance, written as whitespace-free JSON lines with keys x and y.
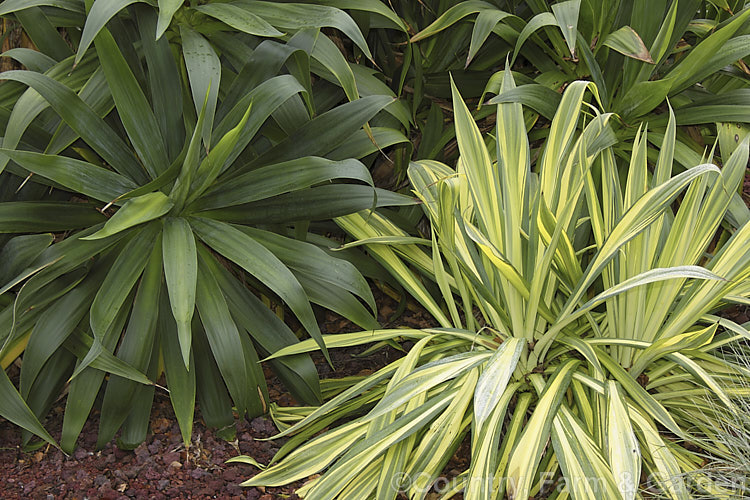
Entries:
{"x":576,"y":337}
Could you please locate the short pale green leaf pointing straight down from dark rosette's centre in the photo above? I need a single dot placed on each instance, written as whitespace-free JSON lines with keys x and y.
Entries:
{"x":181,"y":272}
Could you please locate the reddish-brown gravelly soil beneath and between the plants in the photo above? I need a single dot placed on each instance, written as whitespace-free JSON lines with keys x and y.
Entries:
{"x":161,"y":467}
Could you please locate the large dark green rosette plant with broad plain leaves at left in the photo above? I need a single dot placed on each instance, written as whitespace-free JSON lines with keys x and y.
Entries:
{"x":184,"y":175}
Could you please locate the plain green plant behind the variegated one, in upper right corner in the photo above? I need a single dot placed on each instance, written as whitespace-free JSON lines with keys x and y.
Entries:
{"x":638,"y":54}
